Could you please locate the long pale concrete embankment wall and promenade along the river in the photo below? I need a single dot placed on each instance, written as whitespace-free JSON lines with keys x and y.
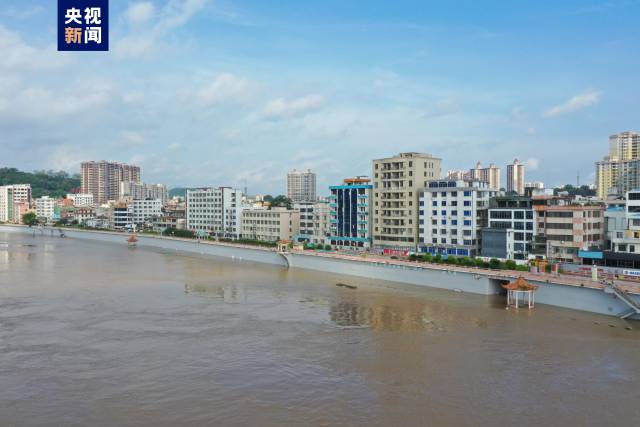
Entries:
{"x":569,"y":292}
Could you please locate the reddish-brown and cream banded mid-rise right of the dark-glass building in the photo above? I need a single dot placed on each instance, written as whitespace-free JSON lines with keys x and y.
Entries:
{"x":566,"y":226}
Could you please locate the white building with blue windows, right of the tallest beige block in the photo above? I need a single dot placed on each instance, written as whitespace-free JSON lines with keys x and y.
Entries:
{"x":452,"y":214}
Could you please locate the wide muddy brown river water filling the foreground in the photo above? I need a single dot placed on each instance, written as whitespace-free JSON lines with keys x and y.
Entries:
{"x":98,"y":334}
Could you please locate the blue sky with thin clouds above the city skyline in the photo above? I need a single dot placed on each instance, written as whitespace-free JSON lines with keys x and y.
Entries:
{"x":238,"y":92}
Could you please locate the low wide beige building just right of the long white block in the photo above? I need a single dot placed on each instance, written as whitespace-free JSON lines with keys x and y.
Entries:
{"x":270,"y":225}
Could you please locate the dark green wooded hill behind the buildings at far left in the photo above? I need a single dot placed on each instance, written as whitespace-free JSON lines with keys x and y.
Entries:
{"x":43,"y":183}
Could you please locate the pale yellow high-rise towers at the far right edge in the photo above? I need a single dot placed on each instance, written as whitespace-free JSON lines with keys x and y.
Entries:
{"x":619,"y":171}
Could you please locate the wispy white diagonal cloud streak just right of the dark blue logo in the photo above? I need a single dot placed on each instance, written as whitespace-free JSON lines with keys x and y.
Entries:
{"x":173,"y":15}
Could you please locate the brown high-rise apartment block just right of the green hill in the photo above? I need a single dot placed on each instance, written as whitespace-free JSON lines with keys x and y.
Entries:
{"x":102,"y":179}
